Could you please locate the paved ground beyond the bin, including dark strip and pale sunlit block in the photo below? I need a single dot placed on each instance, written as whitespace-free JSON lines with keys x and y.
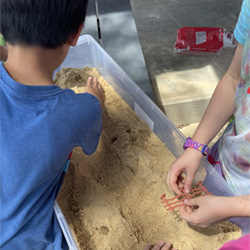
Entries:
{"x":140,"y":36}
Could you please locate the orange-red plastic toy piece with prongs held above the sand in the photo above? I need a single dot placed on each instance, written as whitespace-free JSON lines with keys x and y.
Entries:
{"x":177,"y":201}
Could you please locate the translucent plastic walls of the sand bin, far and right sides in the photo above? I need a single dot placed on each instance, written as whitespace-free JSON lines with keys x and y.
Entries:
{"x":88,"y":53}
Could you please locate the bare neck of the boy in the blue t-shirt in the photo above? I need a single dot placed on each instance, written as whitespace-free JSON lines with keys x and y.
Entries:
{"x":34,"y":65}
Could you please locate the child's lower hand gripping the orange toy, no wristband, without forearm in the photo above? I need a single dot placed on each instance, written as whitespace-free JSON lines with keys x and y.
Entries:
{"x":207,"y":210}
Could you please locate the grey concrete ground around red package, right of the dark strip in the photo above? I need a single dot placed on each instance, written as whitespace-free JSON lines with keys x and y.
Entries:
{"x":182,"y":84}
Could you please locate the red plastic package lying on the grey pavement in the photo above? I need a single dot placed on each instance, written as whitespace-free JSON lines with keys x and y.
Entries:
{"x":202,"y":39}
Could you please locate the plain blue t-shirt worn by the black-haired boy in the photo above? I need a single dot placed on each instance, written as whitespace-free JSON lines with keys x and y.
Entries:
{"x":40,"y":125}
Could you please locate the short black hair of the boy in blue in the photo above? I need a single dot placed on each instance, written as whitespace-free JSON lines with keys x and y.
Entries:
{"x":43,"y":23}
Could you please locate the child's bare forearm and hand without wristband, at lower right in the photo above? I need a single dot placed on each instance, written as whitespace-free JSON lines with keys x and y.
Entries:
{"x":210,"y":210}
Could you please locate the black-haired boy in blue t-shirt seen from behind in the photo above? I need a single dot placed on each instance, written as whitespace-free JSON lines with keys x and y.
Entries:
{"x":40,"y":123}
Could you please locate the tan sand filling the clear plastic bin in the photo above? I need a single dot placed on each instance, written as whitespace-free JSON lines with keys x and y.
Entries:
{"x":111,"y":199}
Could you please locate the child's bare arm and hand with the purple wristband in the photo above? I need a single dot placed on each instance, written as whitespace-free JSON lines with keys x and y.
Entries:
{"x":218,"y":112}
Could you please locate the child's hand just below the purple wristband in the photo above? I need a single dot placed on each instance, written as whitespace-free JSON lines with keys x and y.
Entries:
{"x":188,"y":162}
